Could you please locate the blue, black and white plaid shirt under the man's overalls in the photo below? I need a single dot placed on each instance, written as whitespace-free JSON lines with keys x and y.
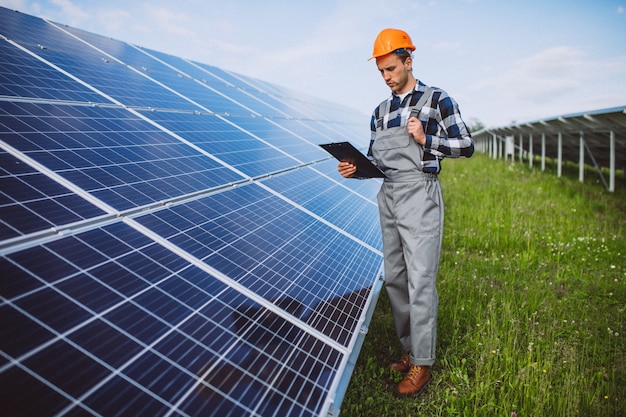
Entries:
{"x":446,"y":133}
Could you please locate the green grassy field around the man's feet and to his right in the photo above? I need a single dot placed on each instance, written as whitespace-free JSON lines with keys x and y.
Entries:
{"x":532,"y":289}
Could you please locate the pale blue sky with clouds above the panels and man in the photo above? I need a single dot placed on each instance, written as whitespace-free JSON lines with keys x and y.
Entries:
{"x":503,"y":61}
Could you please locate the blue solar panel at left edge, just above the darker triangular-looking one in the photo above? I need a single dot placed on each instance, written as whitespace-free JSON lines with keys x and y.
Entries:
{"x":111,"y":153}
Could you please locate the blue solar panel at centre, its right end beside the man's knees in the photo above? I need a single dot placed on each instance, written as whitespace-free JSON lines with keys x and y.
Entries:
{"x":274,"y":249}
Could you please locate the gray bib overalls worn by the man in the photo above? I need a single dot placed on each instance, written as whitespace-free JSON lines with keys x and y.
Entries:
{"x":410,"y":203}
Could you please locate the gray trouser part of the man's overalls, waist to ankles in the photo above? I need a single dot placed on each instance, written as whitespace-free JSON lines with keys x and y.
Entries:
{"x":412,"y":223}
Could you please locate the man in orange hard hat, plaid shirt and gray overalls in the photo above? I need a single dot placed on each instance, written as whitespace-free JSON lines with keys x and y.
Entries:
{"x":409,"y":149}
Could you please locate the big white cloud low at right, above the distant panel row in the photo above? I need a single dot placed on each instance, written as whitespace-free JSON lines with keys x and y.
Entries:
{"x":554,"y":81}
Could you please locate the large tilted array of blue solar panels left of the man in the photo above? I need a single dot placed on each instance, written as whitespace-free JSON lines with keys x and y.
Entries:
{"x":172,"y":239}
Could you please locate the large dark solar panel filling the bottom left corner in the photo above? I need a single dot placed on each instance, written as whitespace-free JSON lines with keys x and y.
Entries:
{"x":177,"y":339}
